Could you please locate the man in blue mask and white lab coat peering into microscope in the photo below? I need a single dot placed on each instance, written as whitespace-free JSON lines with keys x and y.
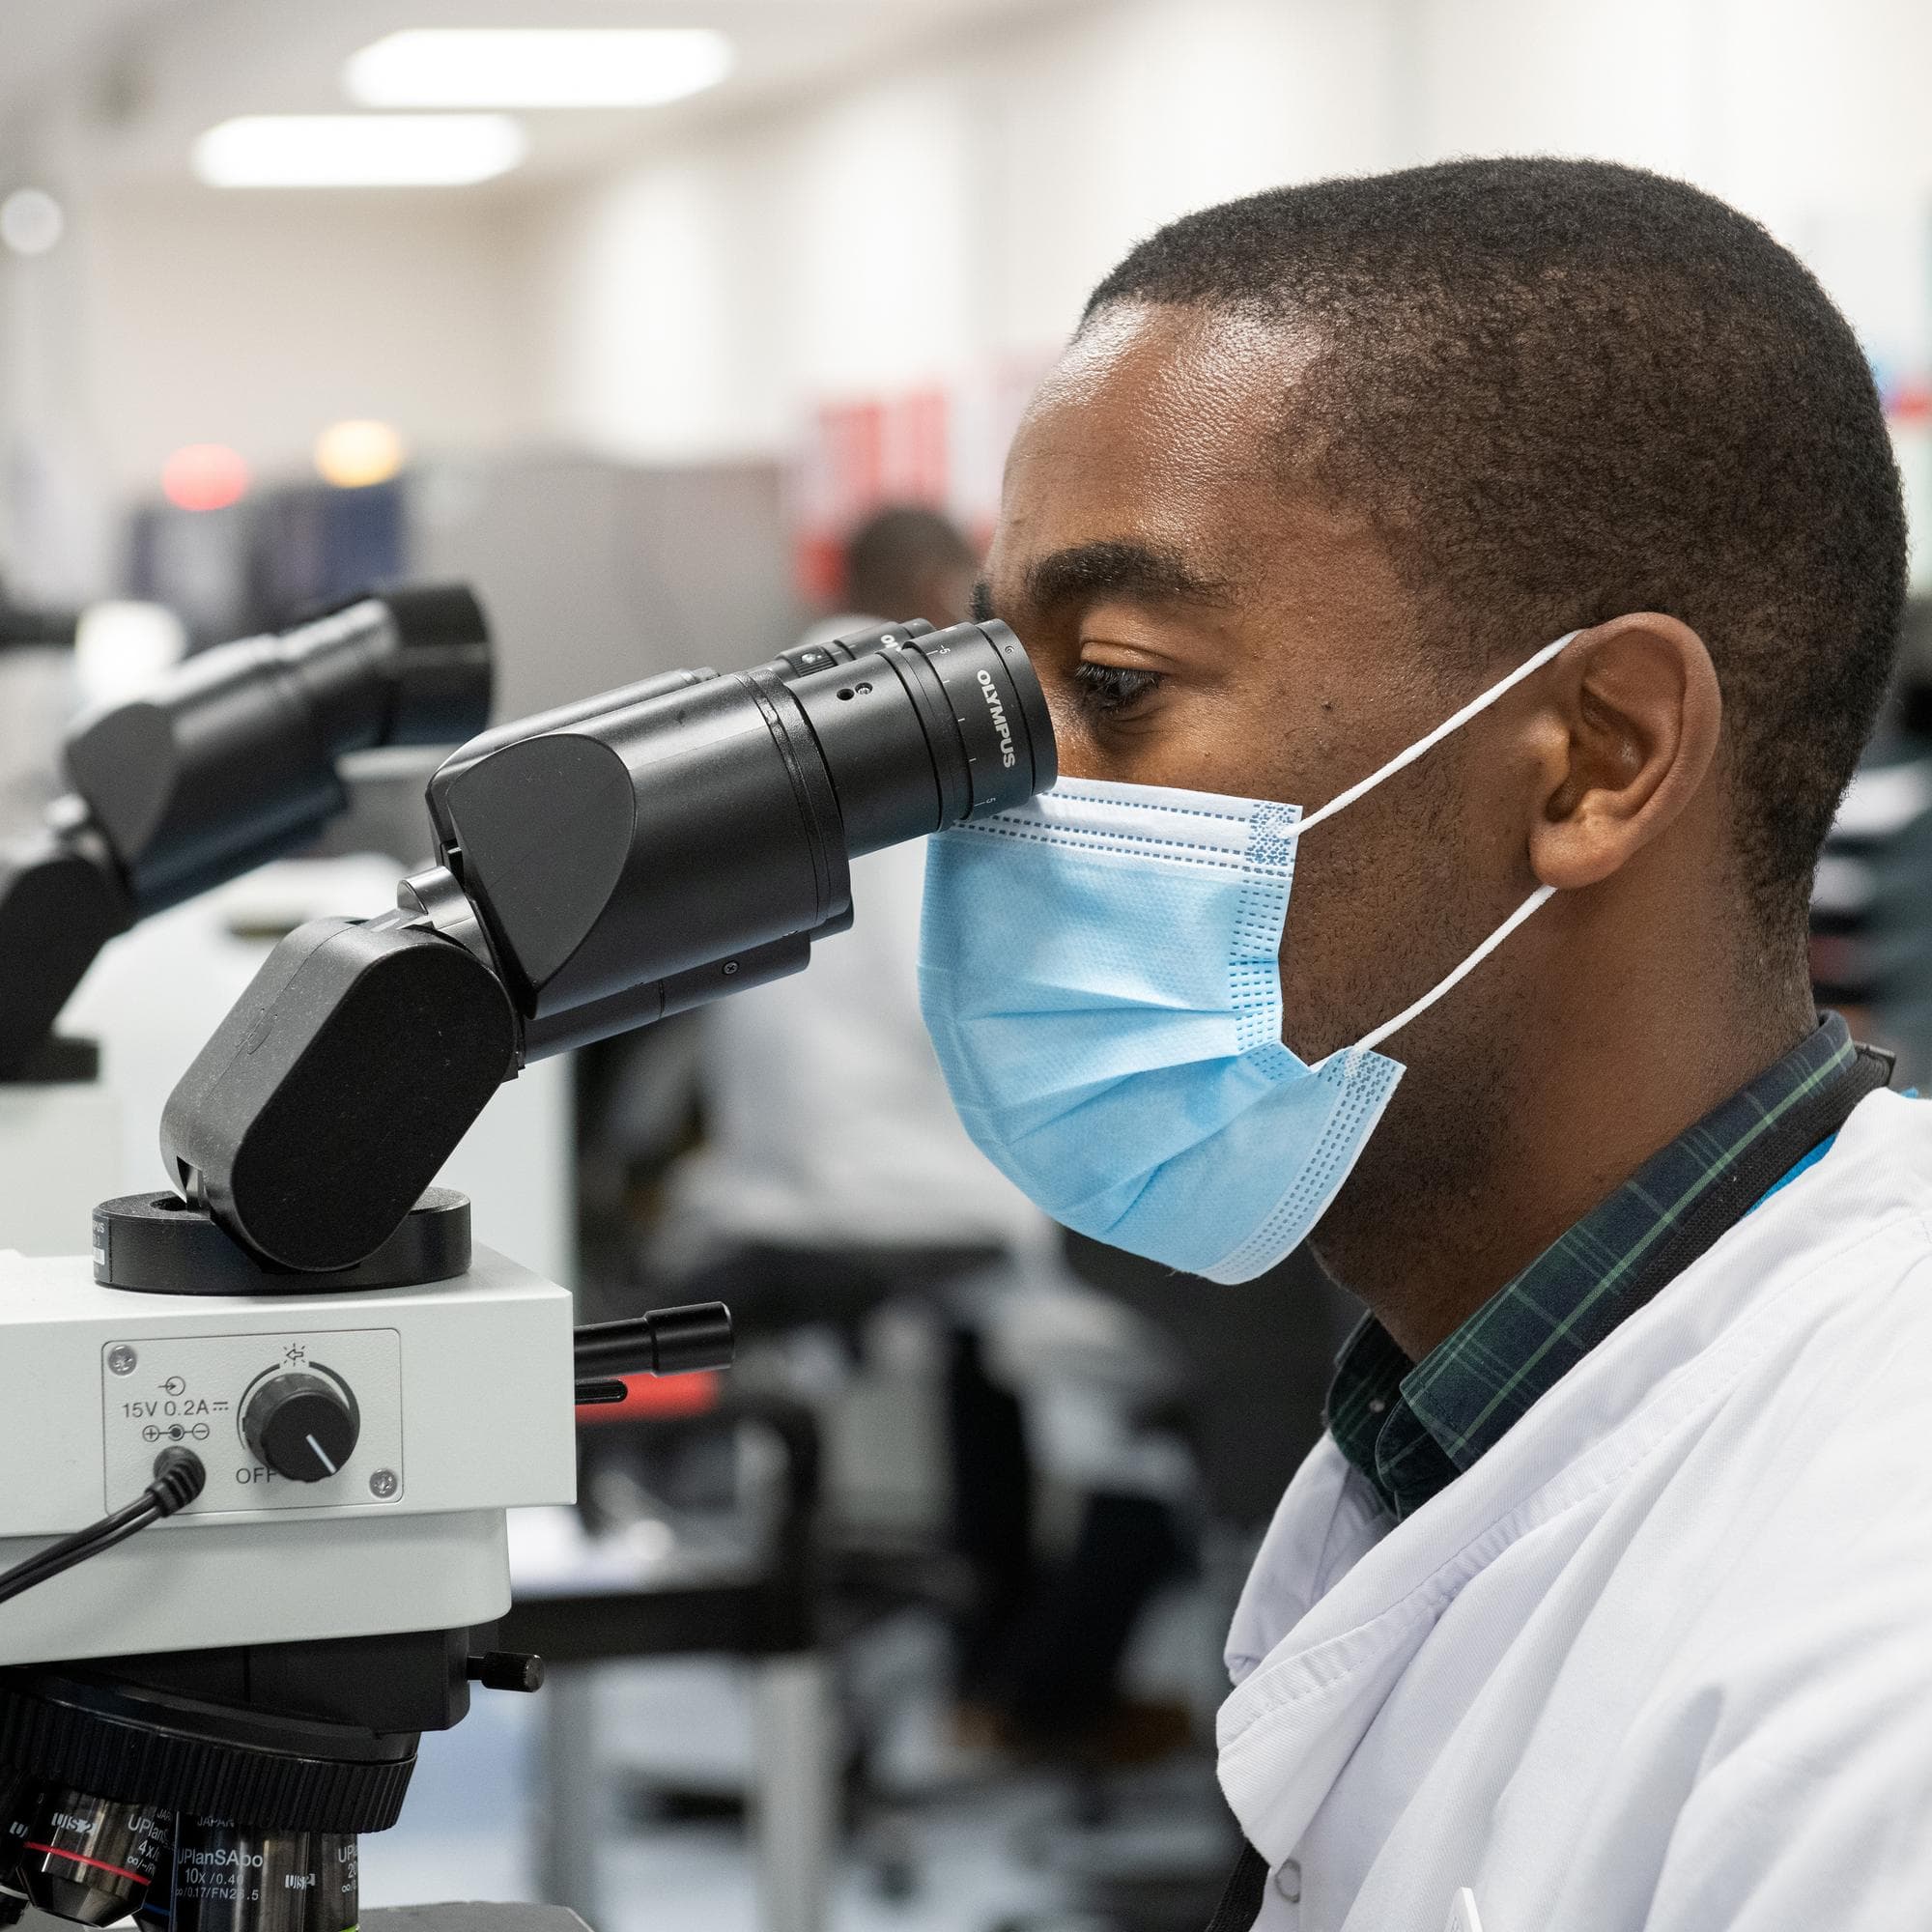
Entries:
{"x":1608,"y":1597}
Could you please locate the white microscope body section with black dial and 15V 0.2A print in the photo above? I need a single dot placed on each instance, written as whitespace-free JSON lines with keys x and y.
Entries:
{"x":463,"y":1402}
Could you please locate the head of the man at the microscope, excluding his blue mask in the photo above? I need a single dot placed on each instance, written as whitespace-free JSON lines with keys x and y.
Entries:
{"x":1324,"y":463}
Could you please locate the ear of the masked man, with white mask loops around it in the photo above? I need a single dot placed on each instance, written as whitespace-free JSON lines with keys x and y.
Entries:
{"x":1626,"y":737}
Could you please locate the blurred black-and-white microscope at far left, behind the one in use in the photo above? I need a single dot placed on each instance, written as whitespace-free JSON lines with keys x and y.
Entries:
{"x":225,"y":764}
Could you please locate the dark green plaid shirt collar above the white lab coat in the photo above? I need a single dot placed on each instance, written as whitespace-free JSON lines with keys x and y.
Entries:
{"x":1411,"y":1431}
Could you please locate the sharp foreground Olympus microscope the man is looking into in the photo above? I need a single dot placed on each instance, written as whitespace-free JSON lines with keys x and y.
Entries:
{"x":300,"y":1396}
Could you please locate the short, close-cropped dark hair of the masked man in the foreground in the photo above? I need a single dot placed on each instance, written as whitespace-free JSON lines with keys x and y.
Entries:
{"x":1568,"y":389}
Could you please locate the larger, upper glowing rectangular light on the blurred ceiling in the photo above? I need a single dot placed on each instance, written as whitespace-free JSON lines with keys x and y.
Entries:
{"x":538,"y":67}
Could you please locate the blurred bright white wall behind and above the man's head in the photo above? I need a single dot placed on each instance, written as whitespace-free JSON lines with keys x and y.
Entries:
{"x":959,"y":210}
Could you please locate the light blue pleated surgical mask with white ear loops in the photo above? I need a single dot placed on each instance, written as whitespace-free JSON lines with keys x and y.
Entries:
{"x":1100,"y":975}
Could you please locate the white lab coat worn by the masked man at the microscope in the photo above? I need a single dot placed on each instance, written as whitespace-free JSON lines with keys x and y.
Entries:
{"x":1664,"y":1657}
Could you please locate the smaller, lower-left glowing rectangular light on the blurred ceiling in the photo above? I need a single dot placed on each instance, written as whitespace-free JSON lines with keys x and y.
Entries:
{"x":358,"y":150}
